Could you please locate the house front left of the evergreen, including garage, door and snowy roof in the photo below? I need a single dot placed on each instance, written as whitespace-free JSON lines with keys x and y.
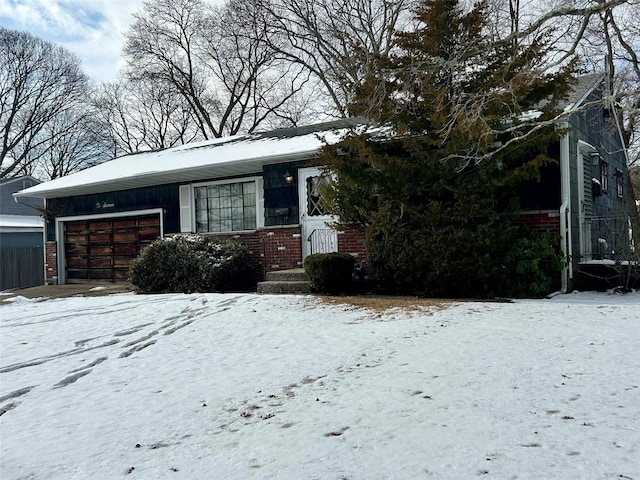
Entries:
{"x":258,"y":188}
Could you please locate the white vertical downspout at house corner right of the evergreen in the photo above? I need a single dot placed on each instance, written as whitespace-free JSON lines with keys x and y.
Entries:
{"x":565,"y":209}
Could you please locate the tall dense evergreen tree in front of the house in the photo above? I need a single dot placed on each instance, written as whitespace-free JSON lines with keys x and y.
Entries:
{"x":435,"y":187}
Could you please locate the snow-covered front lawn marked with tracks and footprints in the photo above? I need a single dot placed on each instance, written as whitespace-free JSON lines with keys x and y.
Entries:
{"x":287,"y":387}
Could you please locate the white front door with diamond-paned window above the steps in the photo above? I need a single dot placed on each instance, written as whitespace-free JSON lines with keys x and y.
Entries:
{"x":317,"y":236}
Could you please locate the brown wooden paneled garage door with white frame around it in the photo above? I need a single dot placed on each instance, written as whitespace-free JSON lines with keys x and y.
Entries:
{"x":103,"y":249}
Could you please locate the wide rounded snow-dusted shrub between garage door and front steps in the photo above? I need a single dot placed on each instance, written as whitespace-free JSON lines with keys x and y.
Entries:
{"x":191,"y":263}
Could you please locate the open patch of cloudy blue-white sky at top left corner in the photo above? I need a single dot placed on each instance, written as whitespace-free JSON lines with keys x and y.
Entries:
{"x":92,"y":29}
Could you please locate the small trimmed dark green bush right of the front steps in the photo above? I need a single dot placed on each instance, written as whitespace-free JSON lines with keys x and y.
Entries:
{"x":330,"y":273}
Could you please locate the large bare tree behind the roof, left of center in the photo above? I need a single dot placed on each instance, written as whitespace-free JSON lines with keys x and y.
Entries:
{"x":230,"y":81}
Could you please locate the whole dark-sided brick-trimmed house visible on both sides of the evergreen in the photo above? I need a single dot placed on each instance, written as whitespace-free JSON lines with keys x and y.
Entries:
{"x":261,"y":189}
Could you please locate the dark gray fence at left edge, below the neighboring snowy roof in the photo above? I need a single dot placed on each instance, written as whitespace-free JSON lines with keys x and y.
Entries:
{"x":21,"y":267}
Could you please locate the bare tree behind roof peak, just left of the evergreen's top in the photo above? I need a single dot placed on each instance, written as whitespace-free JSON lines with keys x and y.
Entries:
{"x":336,"y":41}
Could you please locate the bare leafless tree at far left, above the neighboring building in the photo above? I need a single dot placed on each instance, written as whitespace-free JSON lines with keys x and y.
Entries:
{"x":39,"y":82}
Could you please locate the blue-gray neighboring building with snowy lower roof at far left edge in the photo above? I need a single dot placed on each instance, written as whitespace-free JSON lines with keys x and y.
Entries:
{"x":21,"y":236}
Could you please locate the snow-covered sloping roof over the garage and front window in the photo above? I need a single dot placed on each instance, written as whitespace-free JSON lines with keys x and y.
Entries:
{"x":222,"y":157}
